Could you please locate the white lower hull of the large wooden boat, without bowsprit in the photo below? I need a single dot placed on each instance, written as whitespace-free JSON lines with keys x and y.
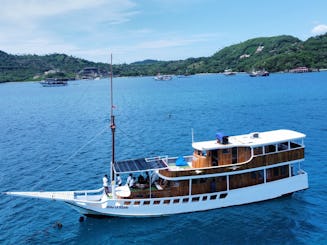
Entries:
{"x":246,"y":195}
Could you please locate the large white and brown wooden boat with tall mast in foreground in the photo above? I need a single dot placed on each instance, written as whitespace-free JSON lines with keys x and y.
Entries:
{"x":222,"y":172}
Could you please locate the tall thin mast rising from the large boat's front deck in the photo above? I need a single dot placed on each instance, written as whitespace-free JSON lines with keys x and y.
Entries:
{"x":112,"y":124}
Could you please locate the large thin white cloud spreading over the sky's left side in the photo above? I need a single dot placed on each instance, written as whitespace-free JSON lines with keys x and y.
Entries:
{"x":47,"y":26}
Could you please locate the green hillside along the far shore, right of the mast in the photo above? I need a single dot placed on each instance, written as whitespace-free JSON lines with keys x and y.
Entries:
{"x":280,"y":53}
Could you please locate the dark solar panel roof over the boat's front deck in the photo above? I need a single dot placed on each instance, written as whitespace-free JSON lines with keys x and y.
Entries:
{"x":136,"y":165}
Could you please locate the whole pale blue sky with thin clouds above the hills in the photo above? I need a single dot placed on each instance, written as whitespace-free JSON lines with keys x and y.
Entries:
{"x":135,"y":30}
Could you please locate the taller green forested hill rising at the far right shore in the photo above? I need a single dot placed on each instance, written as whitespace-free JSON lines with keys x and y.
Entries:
{"x":273,"y":54}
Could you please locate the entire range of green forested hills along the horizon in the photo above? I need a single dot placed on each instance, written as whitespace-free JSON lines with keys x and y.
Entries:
{"x":274,"y":54}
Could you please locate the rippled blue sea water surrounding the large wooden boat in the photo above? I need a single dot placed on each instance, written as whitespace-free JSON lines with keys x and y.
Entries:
{"x":59,"y":139}
